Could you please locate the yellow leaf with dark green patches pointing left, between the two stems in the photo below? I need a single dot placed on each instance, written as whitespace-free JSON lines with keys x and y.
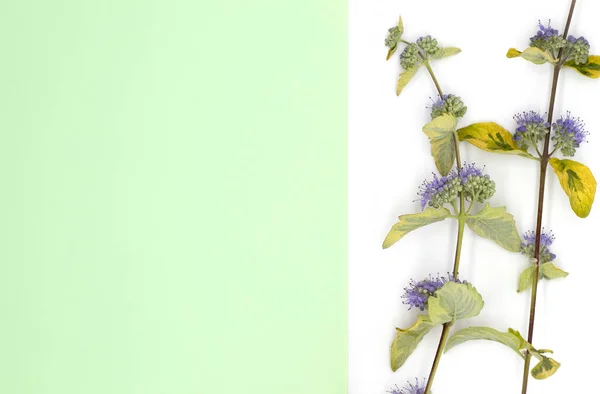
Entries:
{"x":492,"y":137}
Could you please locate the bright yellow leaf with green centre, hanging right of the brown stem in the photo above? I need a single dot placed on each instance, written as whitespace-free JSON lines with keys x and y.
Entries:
{"x":578,"y":182}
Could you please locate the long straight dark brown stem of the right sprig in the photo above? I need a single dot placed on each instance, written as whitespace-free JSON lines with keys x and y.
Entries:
{"x":542,"y":185}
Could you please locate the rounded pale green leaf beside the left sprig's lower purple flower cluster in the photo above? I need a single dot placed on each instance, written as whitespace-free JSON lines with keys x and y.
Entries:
{"x":454,"y":301}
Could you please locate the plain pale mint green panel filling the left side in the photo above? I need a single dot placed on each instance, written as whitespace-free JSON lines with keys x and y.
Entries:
{"x":174,"y":197}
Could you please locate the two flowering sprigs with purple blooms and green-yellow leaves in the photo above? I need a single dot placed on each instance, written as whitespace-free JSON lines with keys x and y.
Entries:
{"x":460,"y":192}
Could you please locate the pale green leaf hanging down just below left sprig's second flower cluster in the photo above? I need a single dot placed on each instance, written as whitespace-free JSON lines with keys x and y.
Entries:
{"x":441,"y":136}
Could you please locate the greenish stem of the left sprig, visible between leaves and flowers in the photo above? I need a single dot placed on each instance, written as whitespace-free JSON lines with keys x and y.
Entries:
{"x":461,"y":216}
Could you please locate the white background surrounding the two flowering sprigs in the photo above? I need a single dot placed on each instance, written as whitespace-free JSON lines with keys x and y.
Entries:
{"x":389,"y":158}
